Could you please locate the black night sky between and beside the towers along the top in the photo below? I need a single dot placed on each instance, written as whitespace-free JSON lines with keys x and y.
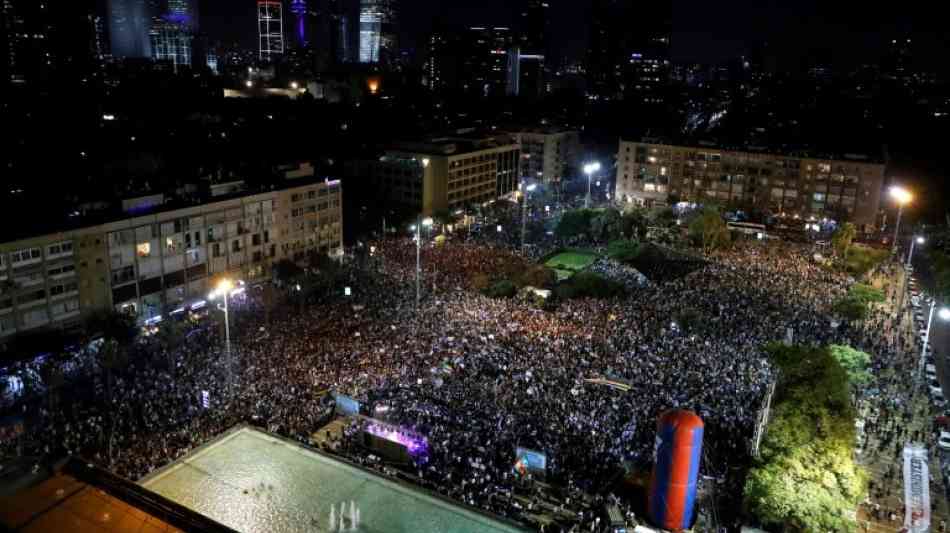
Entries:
{"x":842,"y":33}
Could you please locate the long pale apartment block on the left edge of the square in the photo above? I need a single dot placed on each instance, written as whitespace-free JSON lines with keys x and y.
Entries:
{"x":150,"y":264}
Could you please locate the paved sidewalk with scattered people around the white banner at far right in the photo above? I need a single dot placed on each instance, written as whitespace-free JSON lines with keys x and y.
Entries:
{"x":902,"y":412}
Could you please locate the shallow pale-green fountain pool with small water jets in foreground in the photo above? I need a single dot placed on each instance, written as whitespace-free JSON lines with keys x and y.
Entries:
{"x":252,"y":481}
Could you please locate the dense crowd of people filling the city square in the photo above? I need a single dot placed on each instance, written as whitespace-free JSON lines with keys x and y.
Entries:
{"x":476,"y":376}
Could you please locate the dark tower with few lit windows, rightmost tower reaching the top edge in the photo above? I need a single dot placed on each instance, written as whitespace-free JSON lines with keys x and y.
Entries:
{"x":630,"y":62}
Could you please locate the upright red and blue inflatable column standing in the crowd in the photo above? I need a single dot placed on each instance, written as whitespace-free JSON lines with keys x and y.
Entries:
{"x":679,"y":447}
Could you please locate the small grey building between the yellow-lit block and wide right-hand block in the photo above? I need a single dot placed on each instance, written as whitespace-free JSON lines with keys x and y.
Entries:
{"x":548,"y":154}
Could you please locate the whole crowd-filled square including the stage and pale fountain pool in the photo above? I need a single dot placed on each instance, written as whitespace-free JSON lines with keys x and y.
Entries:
{"x":467,"y":380}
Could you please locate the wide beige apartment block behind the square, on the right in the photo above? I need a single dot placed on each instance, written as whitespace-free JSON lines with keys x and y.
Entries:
{"x":844,"y":189}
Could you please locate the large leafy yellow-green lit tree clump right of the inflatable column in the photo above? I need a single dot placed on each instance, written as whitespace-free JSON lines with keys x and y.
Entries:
{"x":806,"y":478}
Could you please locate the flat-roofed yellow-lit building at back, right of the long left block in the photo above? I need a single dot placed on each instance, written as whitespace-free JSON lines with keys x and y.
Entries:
{"x":446,"y":173}
